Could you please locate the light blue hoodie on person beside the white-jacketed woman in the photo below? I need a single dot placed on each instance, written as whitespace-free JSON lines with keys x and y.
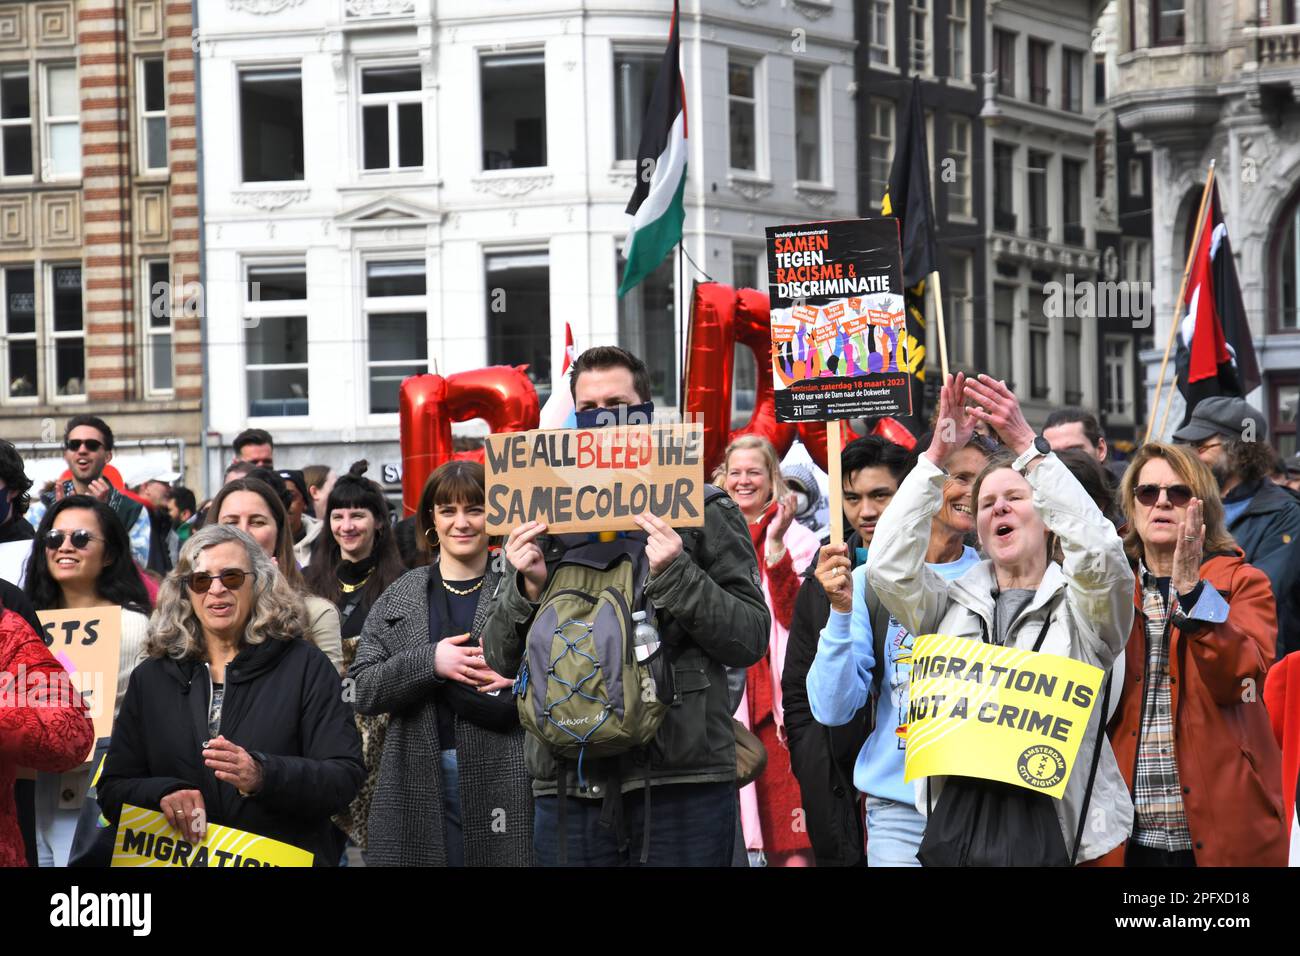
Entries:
{"x":840,"y":682}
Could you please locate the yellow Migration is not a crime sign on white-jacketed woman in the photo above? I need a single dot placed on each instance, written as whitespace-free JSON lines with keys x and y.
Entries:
{"x":999,"y":713}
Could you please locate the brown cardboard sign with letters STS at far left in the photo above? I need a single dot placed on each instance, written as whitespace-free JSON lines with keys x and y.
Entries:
{"x":88,"y":643}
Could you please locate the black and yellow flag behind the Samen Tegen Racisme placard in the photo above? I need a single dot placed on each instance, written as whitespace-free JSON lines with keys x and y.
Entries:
{"x":908,"y":198}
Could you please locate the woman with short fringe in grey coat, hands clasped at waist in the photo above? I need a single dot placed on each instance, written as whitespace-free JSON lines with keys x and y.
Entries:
{"x":454,"y":755}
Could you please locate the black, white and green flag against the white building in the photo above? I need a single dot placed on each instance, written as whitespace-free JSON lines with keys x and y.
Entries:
{"x":657,"y":202}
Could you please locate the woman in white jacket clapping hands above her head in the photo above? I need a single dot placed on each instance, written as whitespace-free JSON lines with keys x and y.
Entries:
{"x":1019,"y":598}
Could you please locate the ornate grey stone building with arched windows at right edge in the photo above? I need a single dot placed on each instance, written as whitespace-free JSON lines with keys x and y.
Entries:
{"x":1202,"y":83}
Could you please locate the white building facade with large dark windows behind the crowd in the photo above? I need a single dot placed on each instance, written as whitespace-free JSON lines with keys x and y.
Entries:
{"x":391,"y":191}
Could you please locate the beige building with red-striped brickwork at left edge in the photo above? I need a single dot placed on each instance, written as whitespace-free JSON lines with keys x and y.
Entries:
{"x":99,"y":224}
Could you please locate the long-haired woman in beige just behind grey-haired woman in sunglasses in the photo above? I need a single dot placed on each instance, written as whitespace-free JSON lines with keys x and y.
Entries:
{"x":255,"y":508}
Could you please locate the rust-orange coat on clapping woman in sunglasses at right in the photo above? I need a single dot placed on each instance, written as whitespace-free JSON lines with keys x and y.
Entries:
{"x":1228,"y":760}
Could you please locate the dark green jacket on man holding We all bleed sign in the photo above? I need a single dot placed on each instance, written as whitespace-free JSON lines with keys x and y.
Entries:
{"x":713,"y":616}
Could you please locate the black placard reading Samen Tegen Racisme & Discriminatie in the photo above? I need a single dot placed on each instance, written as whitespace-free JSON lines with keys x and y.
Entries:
{"x":842,"y":284}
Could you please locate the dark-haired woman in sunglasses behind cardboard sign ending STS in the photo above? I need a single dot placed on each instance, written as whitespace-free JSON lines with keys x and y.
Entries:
{"x":83,"y":559}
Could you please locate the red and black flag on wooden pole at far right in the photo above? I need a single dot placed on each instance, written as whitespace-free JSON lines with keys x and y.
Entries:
{"x":1216,"y":353}
